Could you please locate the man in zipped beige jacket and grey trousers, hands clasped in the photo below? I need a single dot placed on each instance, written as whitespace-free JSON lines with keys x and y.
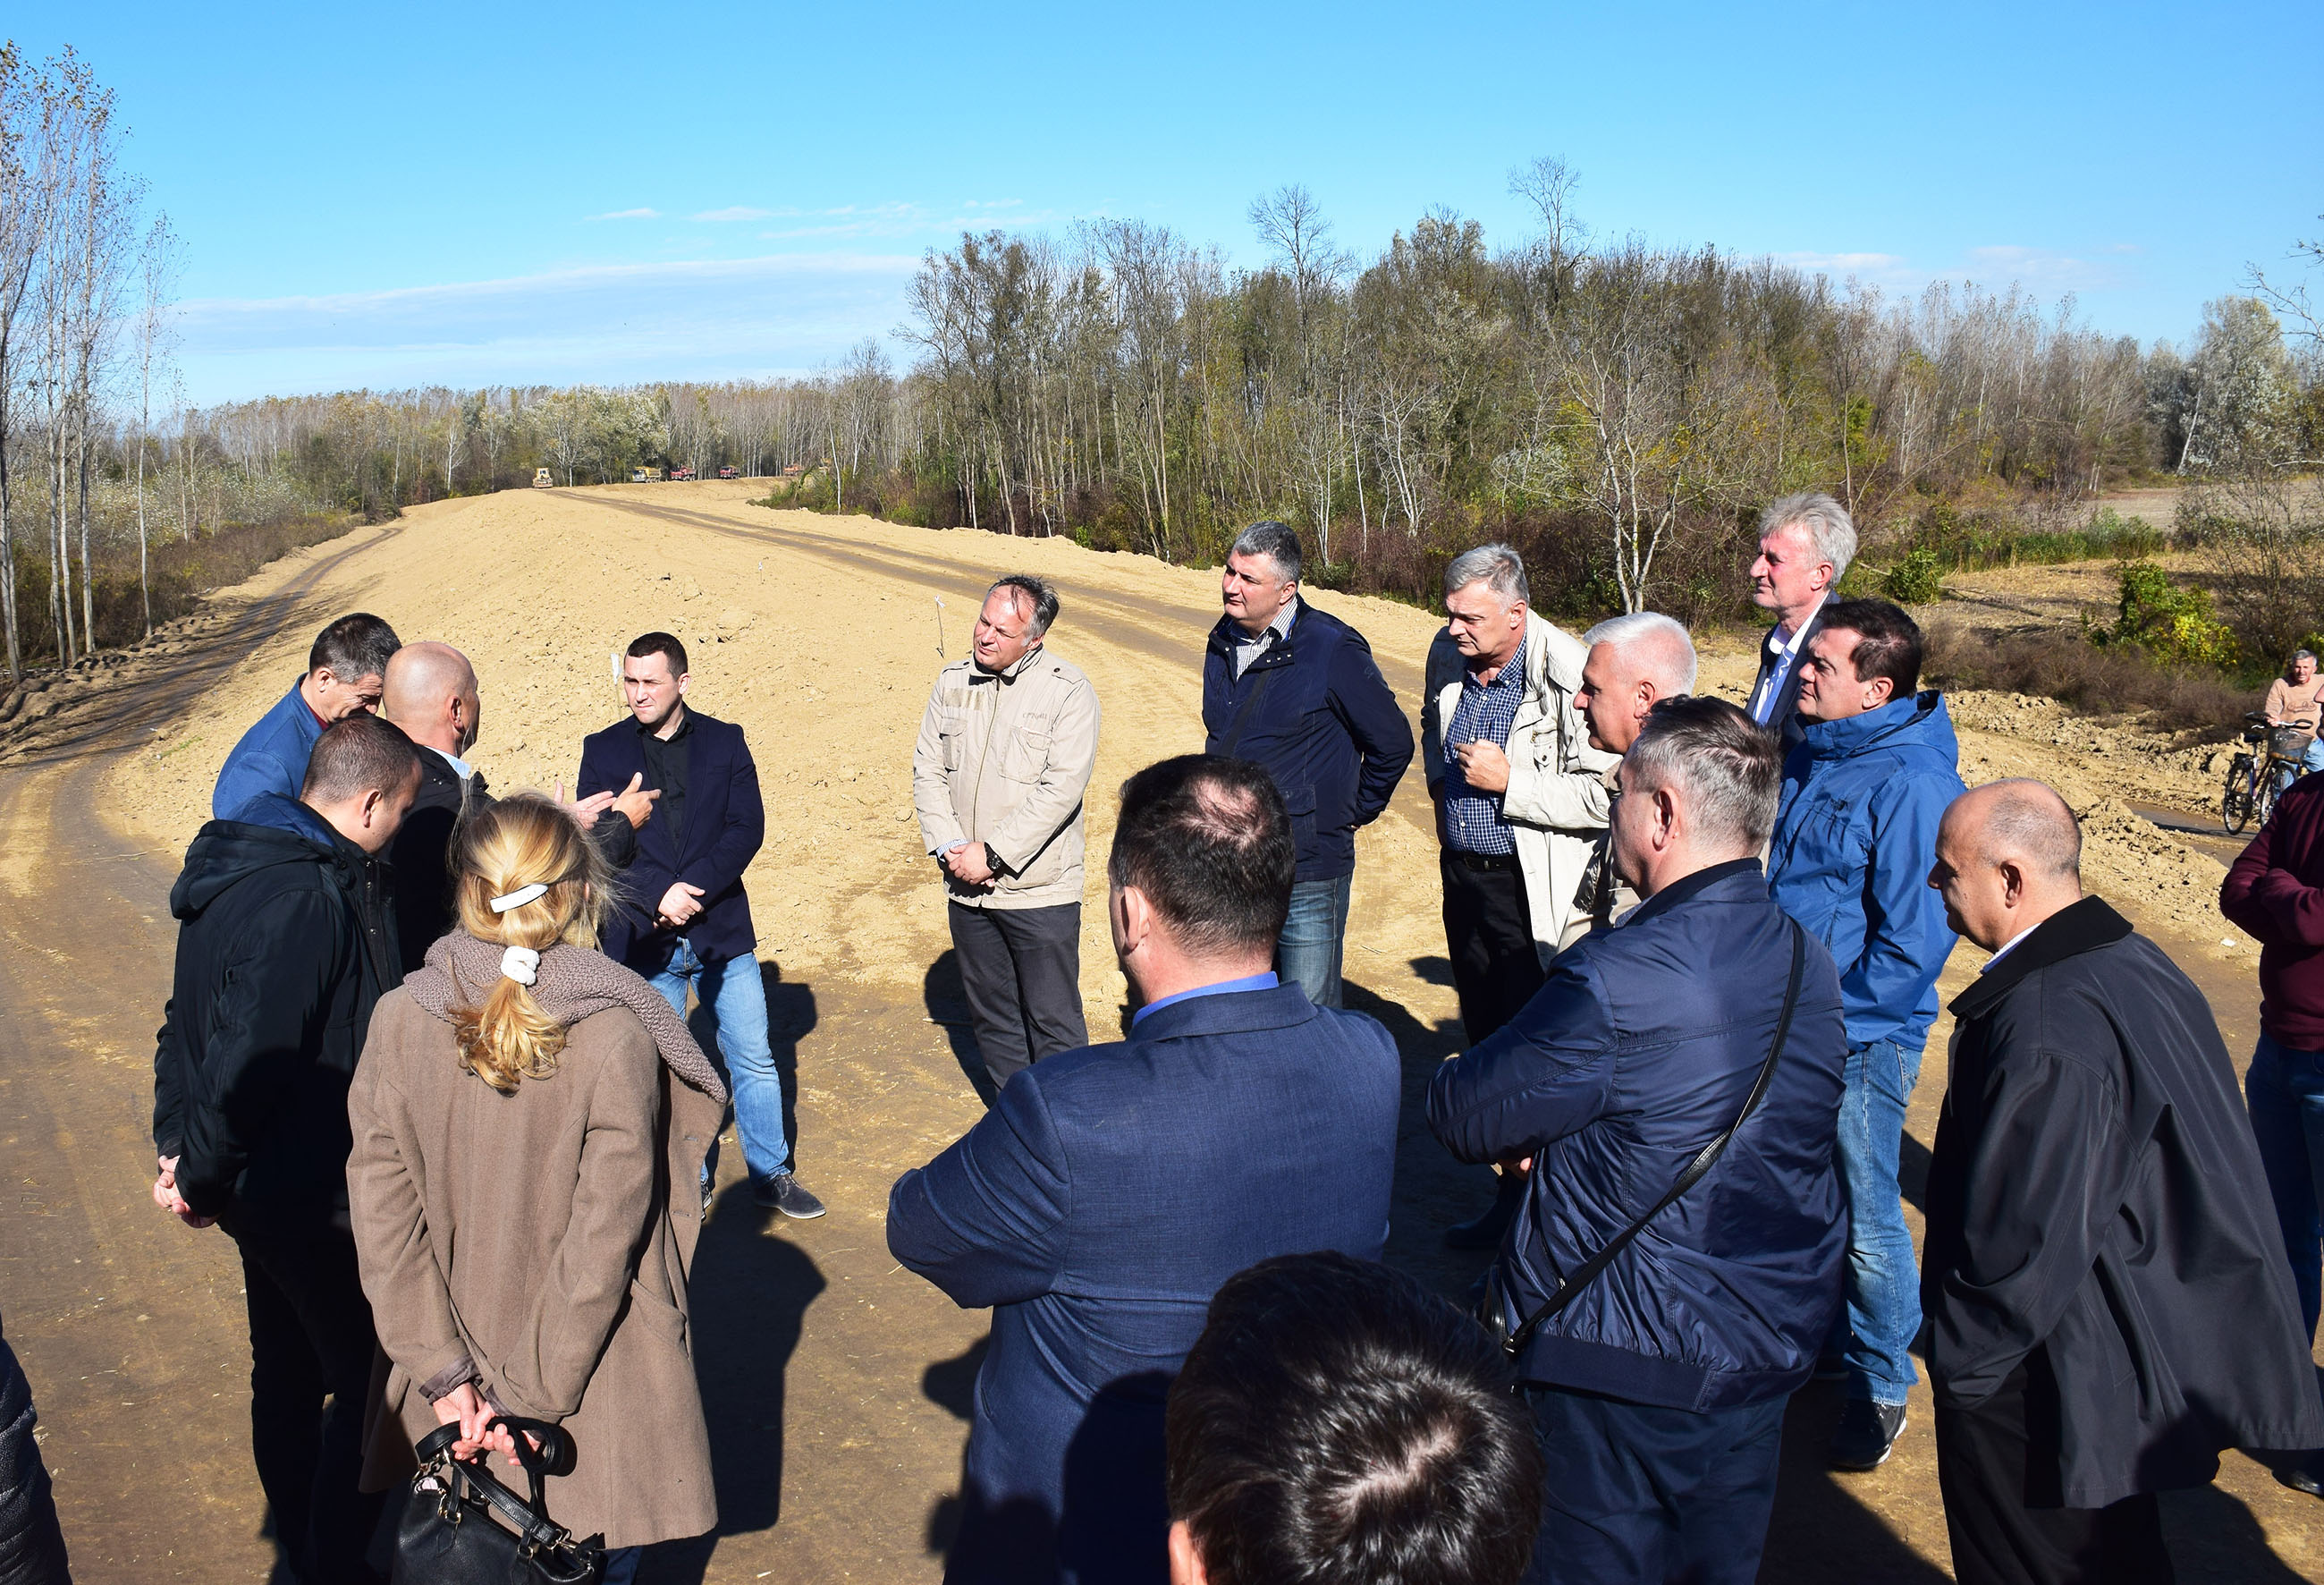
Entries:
{"x":1005,"y":756}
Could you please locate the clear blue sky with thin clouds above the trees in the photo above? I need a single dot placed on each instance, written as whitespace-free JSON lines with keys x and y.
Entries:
{"x":475,"y":194}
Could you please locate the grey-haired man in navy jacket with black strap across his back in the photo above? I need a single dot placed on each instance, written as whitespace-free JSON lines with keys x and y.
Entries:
{"x":1660,"y":1324}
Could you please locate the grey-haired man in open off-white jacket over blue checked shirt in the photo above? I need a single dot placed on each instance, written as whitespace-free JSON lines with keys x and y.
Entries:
{"x":1521,"y":803}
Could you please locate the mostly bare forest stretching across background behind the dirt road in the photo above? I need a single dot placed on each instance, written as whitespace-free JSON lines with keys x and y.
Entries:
{"x":1616,"y":410}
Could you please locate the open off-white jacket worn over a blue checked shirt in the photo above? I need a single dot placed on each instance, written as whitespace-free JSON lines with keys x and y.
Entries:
{"x":1558,"y":798}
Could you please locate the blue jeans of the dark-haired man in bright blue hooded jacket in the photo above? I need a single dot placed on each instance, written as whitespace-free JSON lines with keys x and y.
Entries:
{"x":1881,"y":1279}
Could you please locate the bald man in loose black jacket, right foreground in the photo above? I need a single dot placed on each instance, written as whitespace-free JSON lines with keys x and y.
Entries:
{"x":2104,"y":1289}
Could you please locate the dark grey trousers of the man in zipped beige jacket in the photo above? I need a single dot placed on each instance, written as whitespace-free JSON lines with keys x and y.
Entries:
{"x":1021,"y":970}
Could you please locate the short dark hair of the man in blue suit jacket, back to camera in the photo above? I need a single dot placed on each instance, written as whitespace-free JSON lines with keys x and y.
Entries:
{"x":1212,"y":847}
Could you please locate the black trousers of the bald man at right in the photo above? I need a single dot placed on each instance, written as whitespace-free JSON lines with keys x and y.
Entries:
{"x":1997,"y":1468}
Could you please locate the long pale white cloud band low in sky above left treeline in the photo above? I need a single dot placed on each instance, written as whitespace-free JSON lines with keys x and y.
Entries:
{"x":705,"y":320}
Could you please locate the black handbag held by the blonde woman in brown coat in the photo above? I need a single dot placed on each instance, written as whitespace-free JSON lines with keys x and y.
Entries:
{"x":466,"y":1528}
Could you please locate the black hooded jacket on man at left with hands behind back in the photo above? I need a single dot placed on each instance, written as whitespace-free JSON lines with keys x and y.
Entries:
{"x":285,"y":947}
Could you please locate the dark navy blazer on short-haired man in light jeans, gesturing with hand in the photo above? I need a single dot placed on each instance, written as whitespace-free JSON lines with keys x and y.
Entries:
{"x":724,"y":831}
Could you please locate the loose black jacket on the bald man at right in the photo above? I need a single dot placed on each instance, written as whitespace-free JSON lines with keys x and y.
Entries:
{"x":2097,"y":1196}
